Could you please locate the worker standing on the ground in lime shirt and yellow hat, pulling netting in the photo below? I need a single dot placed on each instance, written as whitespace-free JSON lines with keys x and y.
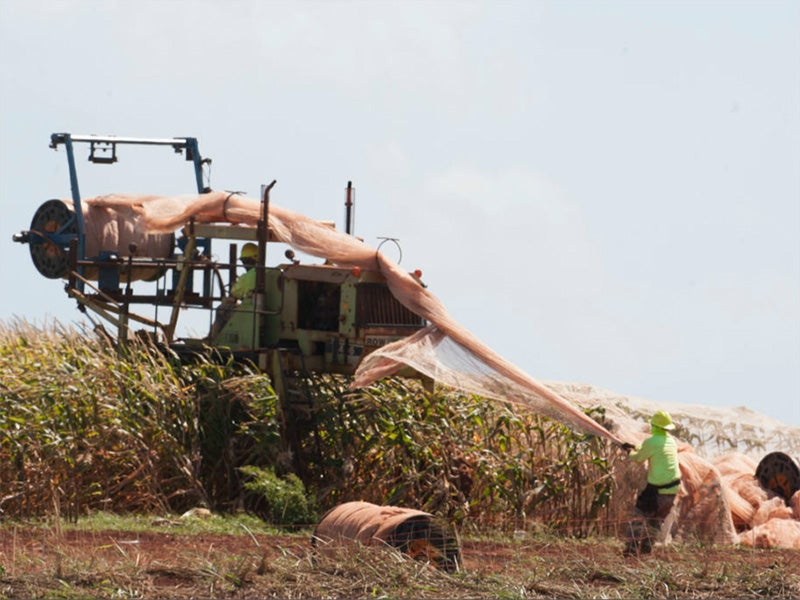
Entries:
{"x":656,"y":500}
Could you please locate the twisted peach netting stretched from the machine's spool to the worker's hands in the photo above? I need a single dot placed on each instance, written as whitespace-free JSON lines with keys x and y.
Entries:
{"x":489,"y":370}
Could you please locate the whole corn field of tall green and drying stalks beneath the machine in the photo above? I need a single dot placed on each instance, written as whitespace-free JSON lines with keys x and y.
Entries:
{"x":87,"y":426}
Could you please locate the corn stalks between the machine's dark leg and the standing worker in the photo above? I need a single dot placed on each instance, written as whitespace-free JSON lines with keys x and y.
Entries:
{"x":463,"y":457}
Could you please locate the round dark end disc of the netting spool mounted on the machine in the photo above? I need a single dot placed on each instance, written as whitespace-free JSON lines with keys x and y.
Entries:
{"x":54,"y":218}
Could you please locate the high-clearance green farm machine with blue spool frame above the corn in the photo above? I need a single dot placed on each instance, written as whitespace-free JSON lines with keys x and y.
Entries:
{"x":301,"y":318}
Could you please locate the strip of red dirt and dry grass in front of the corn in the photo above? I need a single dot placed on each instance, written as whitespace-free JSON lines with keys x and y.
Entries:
{"x":43,"y":563}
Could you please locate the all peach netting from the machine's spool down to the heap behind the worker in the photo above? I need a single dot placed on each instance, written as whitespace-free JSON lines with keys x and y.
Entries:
{"x":717,"y":502}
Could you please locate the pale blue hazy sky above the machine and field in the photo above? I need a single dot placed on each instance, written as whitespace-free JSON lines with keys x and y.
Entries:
{"x":604,"y":192}
